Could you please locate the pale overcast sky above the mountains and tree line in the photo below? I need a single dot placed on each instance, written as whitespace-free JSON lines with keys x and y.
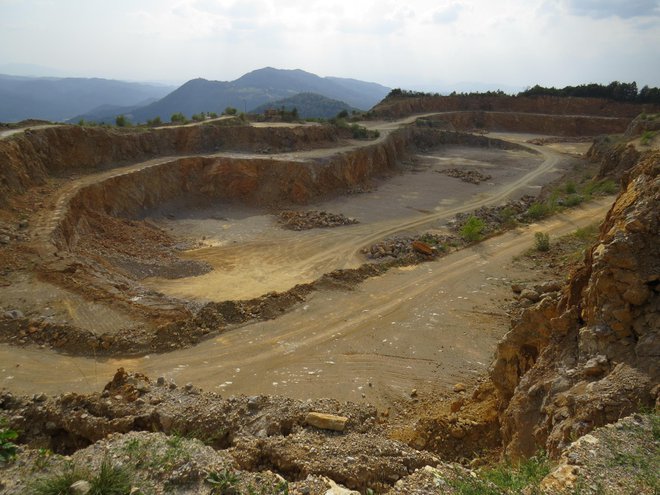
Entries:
{"x":412,"y":44}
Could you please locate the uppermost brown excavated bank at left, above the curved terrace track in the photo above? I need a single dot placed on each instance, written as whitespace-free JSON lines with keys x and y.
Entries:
{"x":30,"y":157}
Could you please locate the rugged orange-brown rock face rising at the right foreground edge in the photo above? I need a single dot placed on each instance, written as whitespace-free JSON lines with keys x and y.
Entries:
{"x":591,"y":356}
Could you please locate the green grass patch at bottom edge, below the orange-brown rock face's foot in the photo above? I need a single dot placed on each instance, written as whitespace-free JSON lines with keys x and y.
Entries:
{"x":506,"y":478}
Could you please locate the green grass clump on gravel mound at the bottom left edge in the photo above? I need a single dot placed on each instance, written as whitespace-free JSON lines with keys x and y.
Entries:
{"x":109,"y":480}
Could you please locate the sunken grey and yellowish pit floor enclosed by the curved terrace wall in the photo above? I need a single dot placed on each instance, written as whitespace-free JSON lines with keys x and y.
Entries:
{"x":251,"y":255}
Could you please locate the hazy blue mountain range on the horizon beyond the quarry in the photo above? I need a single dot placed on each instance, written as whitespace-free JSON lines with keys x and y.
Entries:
{"x":101,"y":100}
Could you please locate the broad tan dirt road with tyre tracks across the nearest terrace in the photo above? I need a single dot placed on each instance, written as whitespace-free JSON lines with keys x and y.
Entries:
{"x":423,"y":327}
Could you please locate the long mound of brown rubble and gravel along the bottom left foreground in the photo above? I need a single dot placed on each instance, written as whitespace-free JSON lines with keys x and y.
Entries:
{"x":251,"y":436}
